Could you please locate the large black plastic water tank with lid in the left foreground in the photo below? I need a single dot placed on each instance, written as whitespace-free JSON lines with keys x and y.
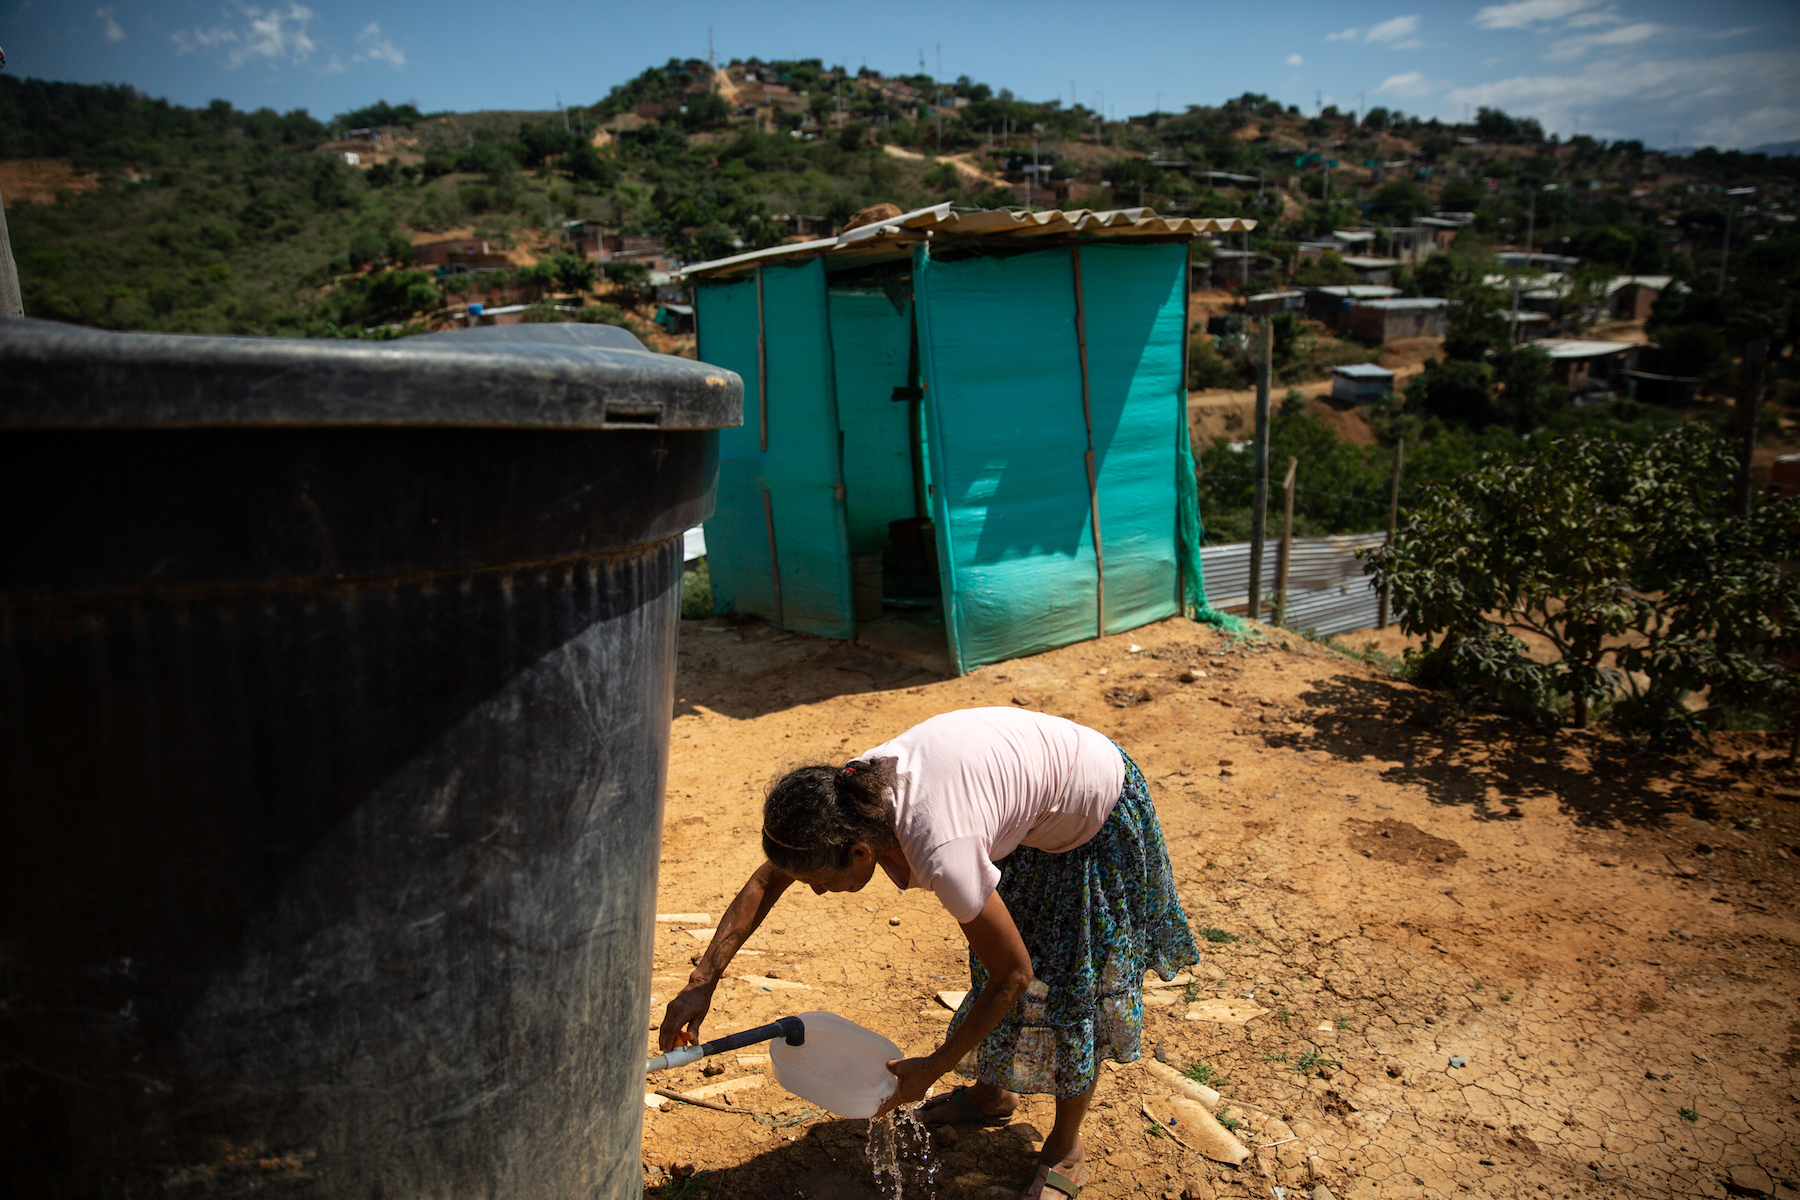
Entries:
{"x":336,"y":685}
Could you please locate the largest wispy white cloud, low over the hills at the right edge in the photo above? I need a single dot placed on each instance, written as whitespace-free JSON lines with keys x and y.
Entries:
{"x":1736,"y":100}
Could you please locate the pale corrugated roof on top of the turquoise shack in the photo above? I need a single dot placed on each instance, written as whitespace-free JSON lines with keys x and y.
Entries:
{"x":899,"y":235}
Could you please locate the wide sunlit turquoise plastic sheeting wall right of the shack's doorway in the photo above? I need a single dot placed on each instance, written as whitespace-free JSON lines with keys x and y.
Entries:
{"x":1009,"y":438}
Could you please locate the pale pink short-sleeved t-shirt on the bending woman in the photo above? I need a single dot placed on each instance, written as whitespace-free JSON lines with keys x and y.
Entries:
{"x":975,"y":785}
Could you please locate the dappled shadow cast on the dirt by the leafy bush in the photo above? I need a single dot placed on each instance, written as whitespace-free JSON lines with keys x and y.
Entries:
{"x":1493,"y":766}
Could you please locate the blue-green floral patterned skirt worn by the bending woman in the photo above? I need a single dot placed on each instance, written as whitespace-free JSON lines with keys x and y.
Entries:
{"x":1093,"y":920}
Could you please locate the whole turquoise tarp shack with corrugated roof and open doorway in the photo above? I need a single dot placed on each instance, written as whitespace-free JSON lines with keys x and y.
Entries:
{"x":991,"y":402}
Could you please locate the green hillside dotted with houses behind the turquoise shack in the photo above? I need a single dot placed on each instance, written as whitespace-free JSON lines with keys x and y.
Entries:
{"x":1479,"y":282}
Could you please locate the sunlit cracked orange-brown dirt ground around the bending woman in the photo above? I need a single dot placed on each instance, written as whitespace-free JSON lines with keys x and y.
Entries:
{"x":1515,"y":963}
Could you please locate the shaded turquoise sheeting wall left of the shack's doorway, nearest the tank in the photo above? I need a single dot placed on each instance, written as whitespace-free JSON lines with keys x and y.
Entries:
{"x":800,"y":470}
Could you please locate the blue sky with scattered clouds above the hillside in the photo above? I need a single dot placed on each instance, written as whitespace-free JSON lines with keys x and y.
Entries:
{"x":1723,"y":73}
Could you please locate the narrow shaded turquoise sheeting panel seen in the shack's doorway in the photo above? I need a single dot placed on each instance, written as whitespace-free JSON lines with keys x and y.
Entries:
{"x":872,"y":345}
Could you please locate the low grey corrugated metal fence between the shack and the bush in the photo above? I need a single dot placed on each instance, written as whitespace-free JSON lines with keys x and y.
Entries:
{"x":1327,"y":591}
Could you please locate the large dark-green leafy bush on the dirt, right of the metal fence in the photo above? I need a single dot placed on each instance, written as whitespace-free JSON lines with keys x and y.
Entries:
{"x":1628,"y":560}
